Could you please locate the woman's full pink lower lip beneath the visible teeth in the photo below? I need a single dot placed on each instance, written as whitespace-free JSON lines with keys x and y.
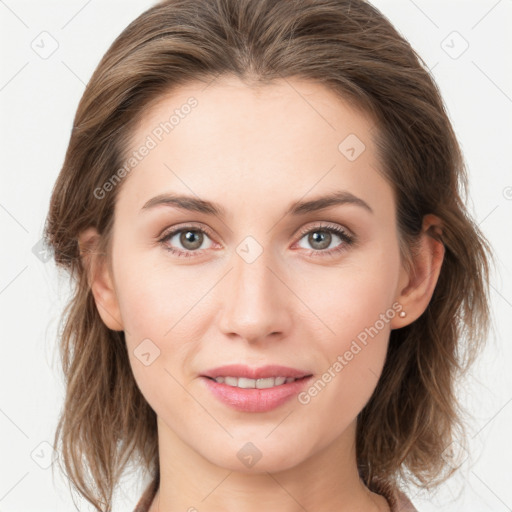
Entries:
{"x":252,"y":399}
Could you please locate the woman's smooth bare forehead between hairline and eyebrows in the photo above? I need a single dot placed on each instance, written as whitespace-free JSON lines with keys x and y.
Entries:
{"x":229,"y":139}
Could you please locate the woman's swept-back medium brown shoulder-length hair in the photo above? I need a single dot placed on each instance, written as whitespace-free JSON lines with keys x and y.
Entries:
{"x":352,"y":49}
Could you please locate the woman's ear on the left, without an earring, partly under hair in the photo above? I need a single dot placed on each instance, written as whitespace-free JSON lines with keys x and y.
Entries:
{"x":100,"y":279}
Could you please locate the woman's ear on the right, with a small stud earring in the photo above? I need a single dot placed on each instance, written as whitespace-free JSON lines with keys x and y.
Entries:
{"x":415,"y":289}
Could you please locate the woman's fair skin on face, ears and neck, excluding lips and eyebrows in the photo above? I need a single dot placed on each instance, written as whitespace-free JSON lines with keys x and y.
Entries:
{"x":254,"y":152}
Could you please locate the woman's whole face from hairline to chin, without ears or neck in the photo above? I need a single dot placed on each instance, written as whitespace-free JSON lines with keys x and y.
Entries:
{"x":266,"y":279}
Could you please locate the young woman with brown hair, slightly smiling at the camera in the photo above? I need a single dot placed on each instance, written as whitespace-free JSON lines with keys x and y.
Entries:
{"x":277,"y":281}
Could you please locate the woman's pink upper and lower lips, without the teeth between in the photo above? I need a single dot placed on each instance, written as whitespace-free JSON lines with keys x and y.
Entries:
{"x":255,"y":400}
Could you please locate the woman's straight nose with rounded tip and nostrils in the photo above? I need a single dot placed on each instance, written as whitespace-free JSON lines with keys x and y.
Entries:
{"x":256,"y":303}
